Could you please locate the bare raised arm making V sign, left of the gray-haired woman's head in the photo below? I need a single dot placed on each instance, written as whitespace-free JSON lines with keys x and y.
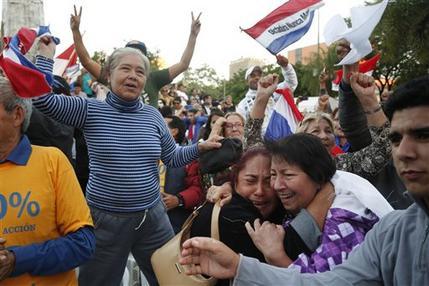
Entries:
{"x":85,"y":59}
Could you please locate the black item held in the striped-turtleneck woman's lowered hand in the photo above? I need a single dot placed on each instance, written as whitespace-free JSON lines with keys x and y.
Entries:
{"x":217,"y":160}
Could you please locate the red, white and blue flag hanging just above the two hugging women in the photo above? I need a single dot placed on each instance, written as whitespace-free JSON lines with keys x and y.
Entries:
{"x":285,"y":117}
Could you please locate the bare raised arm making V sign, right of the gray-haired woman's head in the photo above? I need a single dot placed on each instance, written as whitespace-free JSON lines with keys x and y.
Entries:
{"x":183,"y":65}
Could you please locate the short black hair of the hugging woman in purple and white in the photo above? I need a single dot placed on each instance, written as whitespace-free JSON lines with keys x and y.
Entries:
{"x":308,"y":153}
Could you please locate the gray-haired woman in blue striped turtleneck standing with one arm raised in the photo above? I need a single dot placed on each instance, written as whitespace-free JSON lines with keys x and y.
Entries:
{"x":126,"y":139}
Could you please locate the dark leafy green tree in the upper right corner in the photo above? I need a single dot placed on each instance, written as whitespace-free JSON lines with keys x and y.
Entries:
{"x":401,"y":37}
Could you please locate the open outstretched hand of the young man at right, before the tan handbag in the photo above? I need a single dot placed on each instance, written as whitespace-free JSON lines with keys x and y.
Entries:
{"x":203,"y":255}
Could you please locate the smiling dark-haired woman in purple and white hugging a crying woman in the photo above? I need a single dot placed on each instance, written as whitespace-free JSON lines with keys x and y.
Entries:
{"x":301,"y":167}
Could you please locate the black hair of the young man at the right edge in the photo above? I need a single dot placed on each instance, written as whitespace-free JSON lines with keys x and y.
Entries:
{"x":411,"y":94}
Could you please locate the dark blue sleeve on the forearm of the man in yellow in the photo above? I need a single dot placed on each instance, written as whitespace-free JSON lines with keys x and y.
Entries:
{"x":55,"y":255}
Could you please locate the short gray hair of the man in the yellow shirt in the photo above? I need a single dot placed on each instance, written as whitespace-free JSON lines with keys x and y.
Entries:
{"x":10,"y":100}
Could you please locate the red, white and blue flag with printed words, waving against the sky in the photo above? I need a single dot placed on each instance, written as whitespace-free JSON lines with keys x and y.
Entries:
{"x":285,"y":25}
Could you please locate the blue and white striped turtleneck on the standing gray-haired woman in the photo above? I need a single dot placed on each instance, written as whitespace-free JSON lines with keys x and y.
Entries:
{"x":125,"y":141}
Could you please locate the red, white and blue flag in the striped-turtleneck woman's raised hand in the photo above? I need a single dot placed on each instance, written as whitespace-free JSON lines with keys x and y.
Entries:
{"x":26,"y":79}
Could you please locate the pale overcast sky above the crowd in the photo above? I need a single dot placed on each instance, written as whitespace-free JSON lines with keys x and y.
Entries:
{"x":165,"y":25}
